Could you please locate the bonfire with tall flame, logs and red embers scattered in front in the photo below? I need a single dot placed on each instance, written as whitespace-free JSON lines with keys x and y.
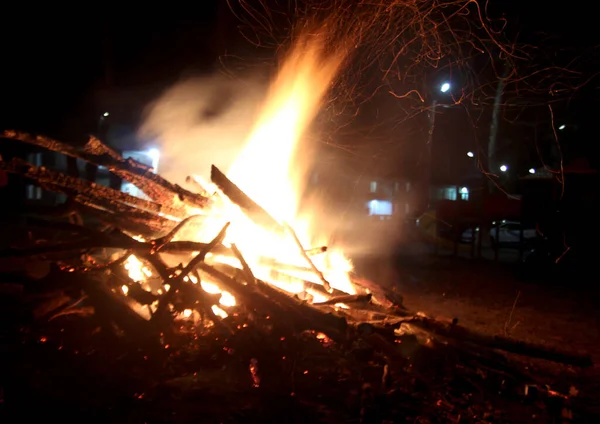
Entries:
{"x":228,"y":263}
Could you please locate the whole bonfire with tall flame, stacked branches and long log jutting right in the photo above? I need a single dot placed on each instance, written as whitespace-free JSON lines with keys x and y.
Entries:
{"x":227,"y":252}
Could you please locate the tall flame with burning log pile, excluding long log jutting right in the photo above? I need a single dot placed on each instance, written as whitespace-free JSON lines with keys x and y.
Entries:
{"x":228,"y":247}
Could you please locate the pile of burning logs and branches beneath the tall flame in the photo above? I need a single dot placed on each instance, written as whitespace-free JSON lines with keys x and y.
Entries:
{"x":223,"y":255}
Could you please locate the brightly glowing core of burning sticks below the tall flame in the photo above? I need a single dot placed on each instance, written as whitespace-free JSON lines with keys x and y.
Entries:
{"x":246,"y":252}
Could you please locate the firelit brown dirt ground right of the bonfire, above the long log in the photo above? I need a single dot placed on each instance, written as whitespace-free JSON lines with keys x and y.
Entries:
{"x":487,"y":297}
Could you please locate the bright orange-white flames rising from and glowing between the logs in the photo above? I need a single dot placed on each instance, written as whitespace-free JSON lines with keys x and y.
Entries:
{"x":269,"y":169}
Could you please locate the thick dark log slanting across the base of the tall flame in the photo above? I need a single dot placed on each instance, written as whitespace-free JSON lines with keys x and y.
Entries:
{"x":254,"y":211}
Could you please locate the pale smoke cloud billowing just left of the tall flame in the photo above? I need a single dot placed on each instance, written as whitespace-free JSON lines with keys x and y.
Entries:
{"x":202,"y":121}
